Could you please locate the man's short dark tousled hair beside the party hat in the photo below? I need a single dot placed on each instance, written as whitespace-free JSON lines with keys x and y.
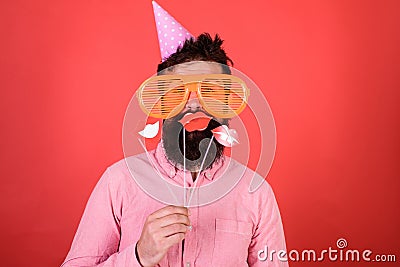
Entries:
{"x":202,"y":48}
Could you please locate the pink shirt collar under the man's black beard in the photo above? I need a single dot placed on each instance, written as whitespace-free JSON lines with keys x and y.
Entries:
{"x":171,"y":170}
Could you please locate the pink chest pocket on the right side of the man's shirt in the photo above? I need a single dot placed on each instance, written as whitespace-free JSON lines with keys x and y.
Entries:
{"x":231,"y":243}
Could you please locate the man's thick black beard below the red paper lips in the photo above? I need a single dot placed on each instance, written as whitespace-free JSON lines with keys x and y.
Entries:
{"x":197,"y":143}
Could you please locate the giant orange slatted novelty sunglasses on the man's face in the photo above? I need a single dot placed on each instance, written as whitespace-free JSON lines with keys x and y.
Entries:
{"x":165,"y":96}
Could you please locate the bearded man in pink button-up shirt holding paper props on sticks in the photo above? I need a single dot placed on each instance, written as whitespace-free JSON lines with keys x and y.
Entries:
{"x":124,"y":226}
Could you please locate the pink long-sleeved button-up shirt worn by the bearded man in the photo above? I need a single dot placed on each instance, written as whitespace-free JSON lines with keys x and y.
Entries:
{"x":228,"y":232}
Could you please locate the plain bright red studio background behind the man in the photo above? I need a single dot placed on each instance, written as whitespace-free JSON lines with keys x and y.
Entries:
{"x":329,"y":69}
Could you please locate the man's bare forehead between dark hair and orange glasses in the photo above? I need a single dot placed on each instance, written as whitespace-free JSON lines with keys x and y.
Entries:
{"x":196,"y":67}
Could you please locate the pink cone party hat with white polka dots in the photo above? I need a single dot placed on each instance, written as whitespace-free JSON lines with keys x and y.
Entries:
{"x":171,"y":34}
